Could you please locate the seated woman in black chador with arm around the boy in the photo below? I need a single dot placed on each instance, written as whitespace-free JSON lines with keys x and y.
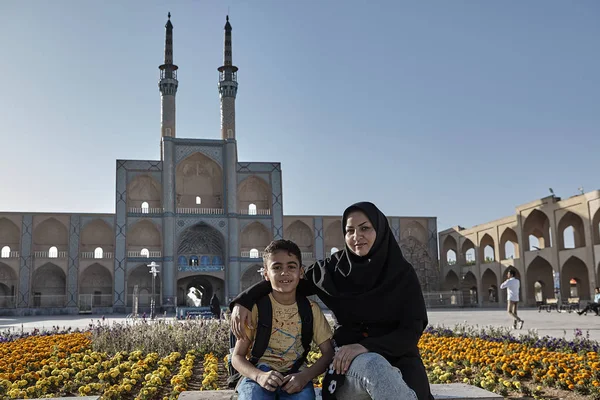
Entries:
{"x":379,"y":307}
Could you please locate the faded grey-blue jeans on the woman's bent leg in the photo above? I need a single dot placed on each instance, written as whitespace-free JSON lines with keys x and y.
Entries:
{"x":371,"y":376}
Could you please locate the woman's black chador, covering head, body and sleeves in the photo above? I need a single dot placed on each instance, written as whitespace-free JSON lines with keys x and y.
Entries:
{"x":377,"y":299}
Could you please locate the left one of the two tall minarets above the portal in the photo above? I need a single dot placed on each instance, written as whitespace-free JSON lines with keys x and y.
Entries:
{"x":168,"y":87}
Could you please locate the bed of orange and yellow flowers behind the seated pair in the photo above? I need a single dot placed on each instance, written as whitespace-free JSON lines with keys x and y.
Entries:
{"x":159,"y":361}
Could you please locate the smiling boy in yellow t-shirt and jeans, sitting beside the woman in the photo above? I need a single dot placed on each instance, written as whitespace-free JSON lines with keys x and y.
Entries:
{"x":282,"y":262}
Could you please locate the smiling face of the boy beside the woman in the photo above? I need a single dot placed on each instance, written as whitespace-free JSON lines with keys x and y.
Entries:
{"x":283,"y":271}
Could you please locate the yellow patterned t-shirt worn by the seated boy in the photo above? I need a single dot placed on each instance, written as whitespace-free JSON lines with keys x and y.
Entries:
{"x":285,"y":344}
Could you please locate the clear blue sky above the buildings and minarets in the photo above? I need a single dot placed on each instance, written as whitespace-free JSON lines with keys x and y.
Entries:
{"x":455,"y":109}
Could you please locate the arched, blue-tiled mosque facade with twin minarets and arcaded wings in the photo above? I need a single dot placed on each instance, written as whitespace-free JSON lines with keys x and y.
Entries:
{"x":198,"y":213}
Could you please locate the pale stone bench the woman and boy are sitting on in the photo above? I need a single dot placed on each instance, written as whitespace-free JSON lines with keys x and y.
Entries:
{"x":454,"y":391}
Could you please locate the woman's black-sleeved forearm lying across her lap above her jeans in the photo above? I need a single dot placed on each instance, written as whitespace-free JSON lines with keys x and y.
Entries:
{"x":400,"y":342}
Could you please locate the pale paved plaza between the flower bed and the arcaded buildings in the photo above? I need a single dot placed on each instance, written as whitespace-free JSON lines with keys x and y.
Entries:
{"x":551,"y":324}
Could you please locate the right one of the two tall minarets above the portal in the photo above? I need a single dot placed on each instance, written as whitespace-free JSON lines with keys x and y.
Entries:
{"x":227,"y":88}
